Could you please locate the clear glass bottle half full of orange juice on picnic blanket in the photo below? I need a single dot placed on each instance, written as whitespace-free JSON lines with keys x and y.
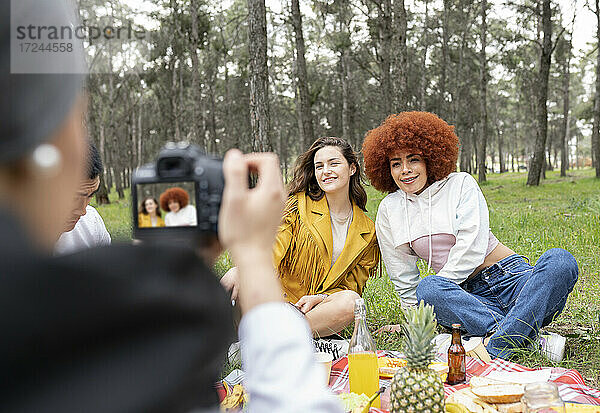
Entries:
{"x":362,"y":358}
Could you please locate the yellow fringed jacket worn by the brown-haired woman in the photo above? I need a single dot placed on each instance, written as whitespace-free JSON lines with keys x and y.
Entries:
{"x":304,"y":244}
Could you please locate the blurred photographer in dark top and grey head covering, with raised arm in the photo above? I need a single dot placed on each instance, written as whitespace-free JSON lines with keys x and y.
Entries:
{"x":128,"y":328}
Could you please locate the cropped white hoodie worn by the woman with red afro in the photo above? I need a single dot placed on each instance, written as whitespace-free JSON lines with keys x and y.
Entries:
{"x":454,"y":205}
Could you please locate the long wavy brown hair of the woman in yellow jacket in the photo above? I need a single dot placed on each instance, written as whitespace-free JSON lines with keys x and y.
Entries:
{"x":304,"y":179}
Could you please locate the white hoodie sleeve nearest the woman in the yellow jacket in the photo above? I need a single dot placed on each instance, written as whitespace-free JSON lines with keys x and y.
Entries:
{"x":400,"y":262}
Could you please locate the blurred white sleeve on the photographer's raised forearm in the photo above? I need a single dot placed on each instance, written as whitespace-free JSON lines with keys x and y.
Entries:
{"x":278,"y":356}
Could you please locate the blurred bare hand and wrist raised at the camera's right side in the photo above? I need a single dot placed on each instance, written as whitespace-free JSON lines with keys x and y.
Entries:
{"x":248,"y":223}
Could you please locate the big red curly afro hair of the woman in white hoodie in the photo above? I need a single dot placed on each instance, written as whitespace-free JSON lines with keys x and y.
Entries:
{"x":421,"y":132}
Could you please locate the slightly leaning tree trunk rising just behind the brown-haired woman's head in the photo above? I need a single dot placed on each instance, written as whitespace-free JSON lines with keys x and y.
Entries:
{"x":303,"y":104}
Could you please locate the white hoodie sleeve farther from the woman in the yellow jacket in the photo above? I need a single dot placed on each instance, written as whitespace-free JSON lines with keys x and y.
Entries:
{"x":473,"y":234}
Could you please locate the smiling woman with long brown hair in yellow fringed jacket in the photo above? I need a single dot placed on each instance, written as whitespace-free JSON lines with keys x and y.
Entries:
{"x":326,"y":248}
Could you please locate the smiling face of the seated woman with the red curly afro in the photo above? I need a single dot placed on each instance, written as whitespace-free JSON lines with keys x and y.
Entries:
{"x":409,"y":171}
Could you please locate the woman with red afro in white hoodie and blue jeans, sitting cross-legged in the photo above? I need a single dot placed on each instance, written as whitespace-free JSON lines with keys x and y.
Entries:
{"x":440,"y":216}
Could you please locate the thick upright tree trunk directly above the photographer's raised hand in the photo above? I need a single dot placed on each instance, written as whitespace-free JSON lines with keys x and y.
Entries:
{"x":259,"y":76}
